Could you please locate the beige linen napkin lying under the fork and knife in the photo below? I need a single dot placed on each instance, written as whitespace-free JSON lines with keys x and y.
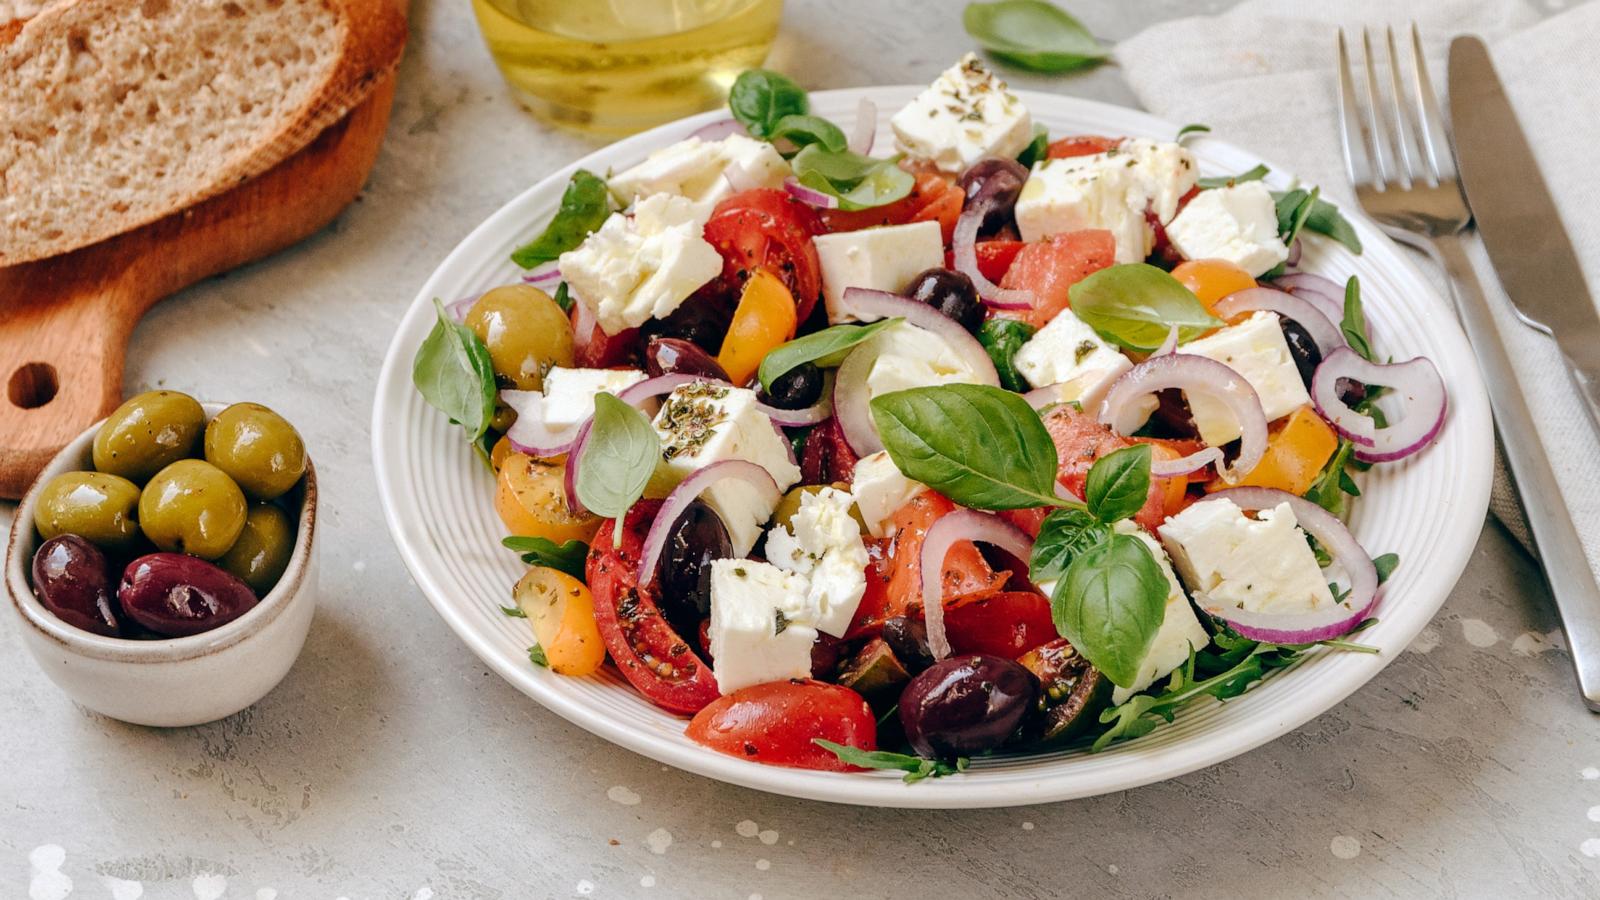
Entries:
{"x":1263,"y":78}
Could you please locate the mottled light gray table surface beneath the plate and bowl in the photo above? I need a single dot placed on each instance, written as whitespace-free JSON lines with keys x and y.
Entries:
{"x":391,"y":765}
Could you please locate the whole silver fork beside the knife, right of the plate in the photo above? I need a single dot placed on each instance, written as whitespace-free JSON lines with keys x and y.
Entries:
{"x":1404,"y":172}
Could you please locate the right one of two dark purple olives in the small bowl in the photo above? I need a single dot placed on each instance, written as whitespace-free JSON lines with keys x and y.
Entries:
{"x":178,"y":595}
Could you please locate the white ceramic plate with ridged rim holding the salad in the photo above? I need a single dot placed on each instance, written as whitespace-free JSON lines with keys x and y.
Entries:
{"x":1430,"y":510}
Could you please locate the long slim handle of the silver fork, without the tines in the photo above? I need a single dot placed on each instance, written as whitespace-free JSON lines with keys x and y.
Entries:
{"x":1561,"y":552}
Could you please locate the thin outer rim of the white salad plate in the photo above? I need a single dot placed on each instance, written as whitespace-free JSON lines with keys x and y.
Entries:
{"x":1470,"y":409}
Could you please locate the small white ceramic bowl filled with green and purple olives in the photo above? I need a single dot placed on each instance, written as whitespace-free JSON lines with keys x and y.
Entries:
{"x":162,"y":565}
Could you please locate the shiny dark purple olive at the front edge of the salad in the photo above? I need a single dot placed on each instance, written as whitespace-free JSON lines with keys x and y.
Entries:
{"x":966,"y":705}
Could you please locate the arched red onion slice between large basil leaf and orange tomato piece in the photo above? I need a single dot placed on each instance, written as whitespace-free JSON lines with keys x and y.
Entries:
{"x":1191,"y":374}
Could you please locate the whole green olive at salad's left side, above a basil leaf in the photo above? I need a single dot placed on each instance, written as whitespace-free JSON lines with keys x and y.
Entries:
{"x":526,"y":332}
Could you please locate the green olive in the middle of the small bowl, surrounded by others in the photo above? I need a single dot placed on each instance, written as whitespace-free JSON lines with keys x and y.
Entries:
{"x":193,"y":507}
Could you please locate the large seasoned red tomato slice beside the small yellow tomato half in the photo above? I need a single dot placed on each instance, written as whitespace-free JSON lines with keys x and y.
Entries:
{"x":647,"y":651}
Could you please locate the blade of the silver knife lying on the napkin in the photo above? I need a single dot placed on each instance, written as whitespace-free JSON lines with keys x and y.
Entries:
{"x":1518,"y":217}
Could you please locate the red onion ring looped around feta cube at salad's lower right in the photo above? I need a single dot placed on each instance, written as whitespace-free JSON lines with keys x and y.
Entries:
{"x":1342,"y":545}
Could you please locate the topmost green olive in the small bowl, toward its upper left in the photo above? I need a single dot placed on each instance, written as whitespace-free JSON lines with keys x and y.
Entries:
{"x":150,"y":433}
